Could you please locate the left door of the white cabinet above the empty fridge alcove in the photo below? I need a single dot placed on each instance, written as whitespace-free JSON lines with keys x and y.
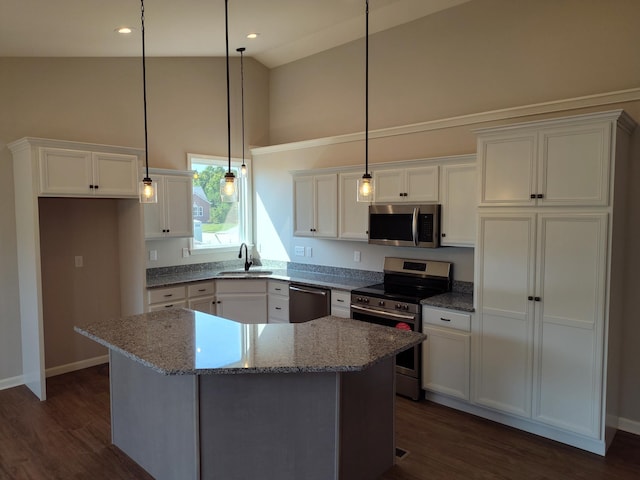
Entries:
{"x":65,"y":172}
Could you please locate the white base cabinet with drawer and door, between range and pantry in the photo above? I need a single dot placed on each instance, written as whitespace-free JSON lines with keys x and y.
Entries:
{"x":446,"y":353}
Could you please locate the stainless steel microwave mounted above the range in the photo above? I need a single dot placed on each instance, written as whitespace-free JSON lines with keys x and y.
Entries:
{"x":405,"y":225}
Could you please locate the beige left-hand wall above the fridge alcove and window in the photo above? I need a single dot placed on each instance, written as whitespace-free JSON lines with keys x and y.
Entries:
{"x":99,"y":100}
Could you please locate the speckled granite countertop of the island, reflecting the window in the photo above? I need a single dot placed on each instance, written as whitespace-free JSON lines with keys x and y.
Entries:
{"x":183,"y":342}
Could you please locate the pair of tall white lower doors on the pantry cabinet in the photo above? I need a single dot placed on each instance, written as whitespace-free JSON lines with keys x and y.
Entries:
{"x":541,"y":315}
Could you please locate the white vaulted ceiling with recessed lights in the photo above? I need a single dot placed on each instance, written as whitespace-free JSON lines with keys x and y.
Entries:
{"x":289,"y":29}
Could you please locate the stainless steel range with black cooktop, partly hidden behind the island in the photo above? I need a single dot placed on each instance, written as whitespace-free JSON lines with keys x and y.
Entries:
{"x":396,"y":303}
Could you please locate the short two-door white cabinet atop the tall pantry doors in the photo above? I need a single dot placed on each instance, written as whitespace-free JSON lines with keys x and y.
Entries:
{"x":545,"y":163}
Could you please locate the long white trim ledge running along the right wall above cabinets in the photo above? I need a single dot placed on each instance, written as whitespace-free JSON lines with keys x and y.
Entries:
{"x":586,"y":101}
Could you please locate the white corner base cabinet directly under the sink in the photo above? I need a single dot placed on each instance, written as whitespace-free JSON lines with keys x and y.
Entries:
{"x":242,"y":300}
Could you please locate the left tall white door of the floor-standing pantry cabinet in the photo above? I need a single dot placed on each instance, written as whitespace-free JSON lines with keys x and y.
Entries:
{"x":504,"y":327}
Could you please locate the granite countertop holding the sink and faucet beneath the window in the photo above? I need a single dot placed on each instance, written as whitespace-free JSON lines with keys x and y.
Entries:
{"x":309,"y":278}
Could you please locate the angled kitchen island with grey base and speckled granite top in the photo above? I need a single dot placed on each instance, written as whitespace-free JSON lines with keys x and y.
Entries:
{"x":195,"y":396}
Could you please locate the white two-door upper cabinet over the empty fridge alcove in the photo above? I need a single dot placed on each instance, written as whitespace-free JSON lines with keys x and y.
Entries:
{"x":67,"y":172}
